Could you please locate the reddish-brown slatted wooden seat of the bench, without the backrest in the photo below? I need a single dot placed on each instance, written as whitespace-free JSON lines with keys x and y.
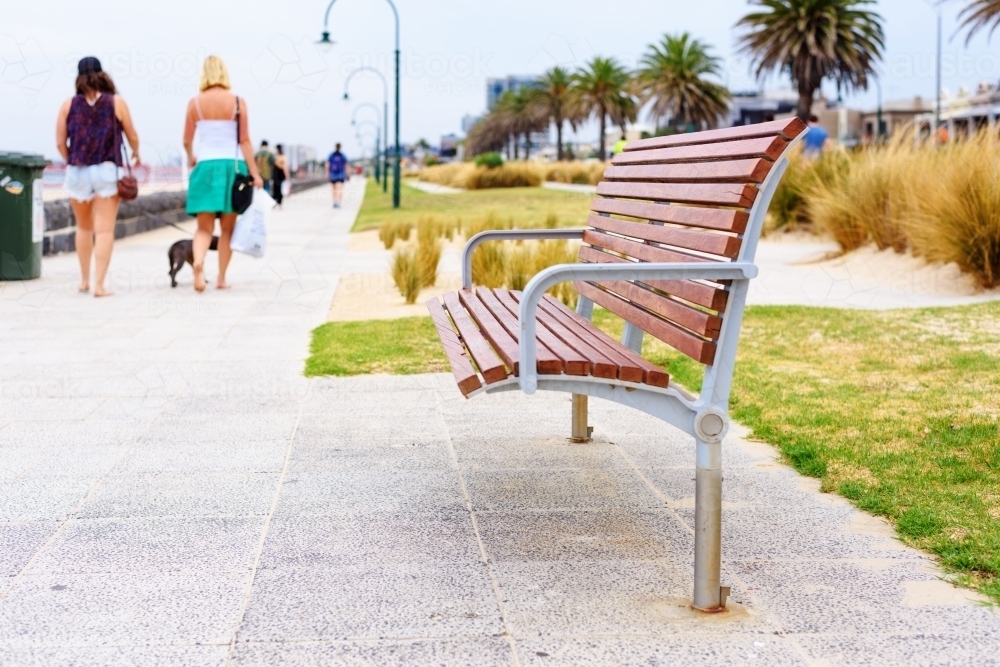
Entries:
{"x":479,"y":330}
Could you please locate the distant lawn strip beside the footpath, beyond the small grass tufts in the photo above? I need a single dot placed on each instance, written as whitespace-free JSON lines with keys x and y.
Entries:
{"x":525,"y":206}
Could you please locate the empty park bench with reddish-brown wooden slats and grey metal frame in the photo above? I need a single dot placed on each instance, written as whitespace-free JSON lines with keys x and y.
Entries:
{"x":669,"y":248}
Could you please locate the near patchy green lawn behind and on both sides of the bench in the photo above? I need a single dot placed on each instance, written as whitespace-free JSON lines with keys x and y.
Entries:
{"x":895,"y":410}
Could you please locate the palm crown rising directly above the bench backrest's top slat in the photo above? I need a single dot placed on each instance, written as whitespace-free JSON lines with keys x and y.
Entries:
{"x":672,"y":76}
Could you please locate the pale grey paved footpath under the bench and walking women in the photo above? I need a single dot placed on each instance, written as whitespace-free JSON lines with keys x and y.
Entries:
{"x":174,"y":492}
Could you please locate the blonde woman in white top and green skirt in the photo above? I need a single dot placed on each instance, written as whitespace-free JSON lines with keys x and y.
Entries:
{"x":217,"y":115}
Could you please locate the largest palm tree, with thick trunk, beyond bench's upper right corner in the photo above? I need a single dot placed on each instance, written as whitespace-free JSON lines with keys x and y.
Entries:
{"x":812,"y":40}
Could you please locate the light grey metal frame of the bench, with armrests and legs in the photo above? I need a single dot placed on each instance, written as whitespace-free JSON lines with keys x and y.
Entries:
{"x":705,"y":417}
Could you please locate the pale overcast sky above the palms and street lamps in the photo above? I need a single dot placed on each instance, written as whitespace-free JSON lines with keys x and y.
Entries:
{"x":294,"y":90}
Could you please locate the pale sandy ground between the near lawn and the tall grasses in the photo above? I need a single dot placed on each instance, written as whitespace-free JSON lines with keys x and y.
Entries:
{"x":796,"y":269}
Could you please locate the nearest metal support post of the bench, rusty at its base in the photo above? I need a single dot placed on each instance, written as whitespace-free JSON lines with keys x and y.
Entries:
{"x":708,"y":594}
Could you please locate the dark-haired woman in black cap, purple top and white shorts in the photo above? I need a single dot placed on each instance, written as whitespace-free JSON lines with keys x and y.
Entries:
{"x":88,"y":136}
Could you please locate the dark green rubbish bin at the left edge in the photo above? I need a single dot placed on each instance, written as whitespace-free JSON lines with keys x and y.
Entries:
{"x":22,"y":216}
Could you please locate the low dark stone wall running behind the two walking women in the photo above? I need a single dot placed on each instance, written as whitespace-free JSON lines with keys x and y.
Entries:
{"x":133,"y":216}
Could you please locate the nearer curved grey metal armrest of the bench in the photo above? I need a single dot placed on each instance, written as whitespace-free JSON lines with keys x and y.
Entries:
{"x":536,"y":288}
